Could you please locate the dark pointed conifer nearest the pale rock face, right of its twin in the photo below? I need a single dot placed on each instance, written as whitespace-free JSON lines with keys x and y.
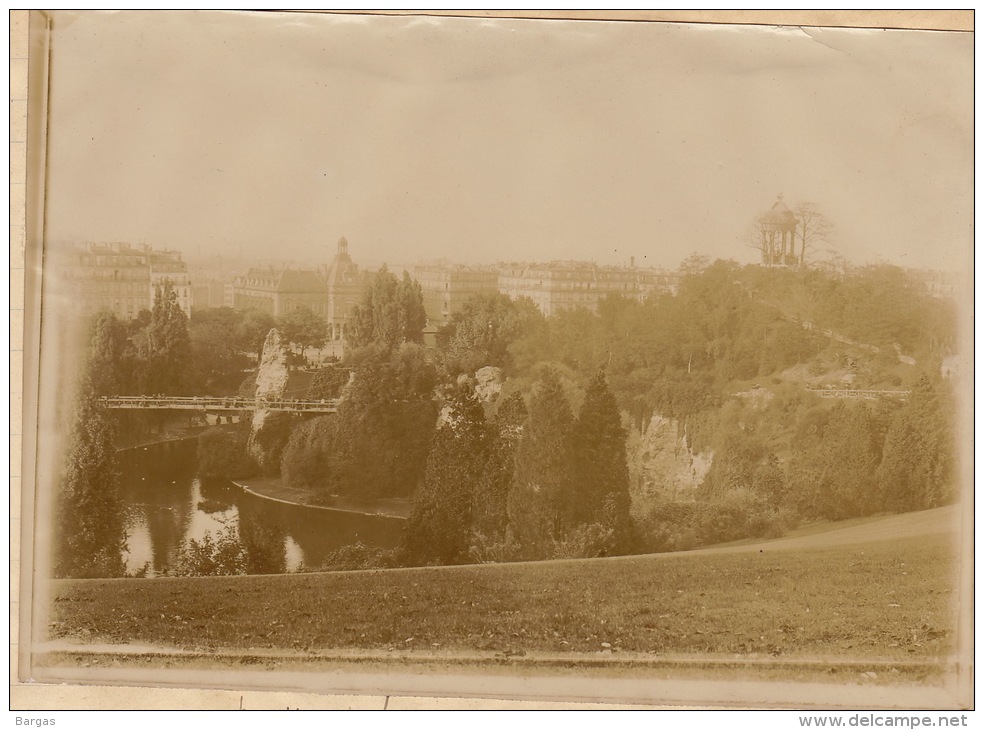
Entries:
{"x":601,"y":485}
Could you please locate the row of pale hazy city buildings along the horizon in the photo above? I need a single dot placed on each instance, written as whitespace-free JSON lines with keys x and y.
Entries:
{"x":123,"y":278}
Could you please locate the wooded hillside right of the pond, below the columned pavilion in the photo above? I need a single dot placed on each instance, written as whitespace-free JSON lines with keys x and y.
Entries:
{"x":733,"y":359}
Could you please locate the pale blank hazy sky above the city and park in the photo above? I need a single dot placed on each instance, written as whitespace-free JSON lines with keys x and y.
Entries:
{"x":486,"y":140}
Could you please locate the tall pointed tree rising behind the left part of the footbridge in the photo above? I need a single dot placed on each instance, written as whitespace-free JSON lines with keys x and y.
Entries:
{"x":165,"y":348}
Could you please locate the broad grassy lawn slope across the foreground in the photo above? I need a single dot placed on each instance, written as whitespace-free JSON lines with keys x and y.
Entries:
{"x":890,"y":599}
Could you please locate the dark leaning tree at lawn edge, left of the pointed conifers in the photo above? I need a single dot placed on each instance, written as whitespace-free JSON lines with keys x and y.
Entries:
{"x":440,"y":527}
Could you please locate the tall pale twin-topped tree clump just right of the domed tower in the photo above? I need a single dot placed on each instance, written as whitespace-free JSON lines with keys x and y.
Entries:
{"x":391,"y":312}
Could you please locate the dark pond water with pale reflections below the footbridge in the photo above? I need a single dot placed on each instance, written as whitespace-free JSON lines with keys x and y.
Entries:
{"x":167,"y":506}
